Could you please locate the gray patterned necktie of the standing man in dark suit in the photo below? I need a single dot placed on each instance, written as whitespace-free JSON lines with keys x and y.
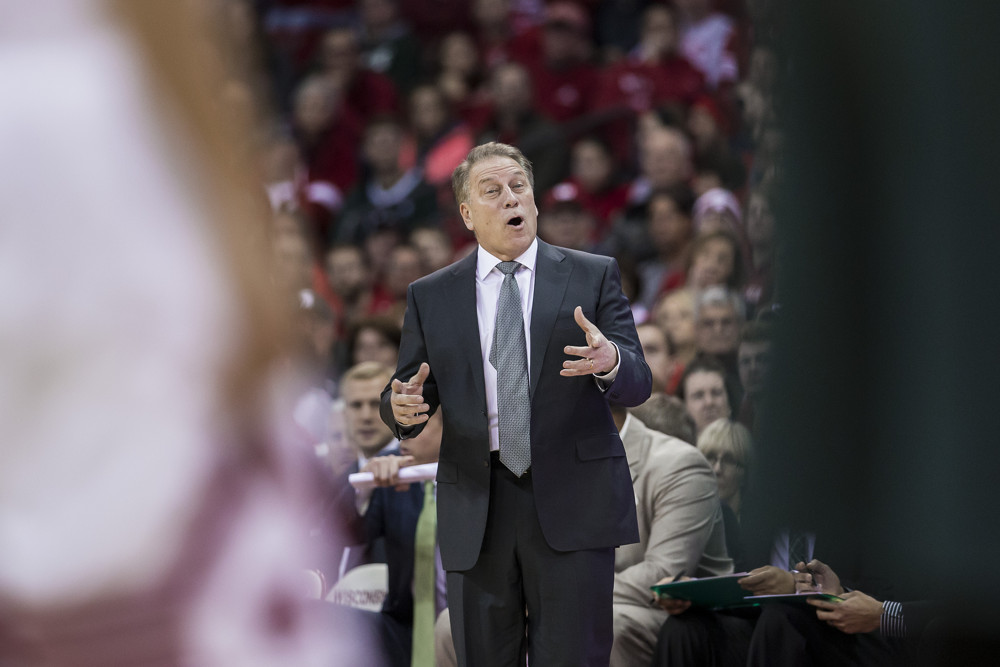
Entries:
{"x":510,"y":357}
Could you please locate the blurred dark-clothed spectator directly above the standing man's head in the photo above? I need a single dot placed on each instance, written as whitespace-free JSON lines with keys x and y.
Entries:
{"x":514,"y":120}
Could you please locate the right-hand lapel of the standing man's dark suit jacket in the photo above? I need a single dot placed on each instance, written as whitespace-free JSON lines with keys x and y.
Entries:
{"x":550,"y":285}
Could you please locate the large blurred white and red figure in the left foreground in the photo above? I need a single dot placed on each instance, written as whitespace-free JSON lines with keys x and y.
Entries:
{"x":147,"y":513}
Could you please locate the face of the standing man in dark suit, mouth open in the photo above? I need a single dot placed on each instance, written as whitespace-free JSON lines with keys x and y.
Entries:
{"x":501,"y":208}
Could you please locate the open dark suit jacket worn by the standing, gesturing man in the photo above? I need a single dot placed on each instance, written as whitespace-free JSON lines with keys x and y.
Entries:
{"x":580,"y":476}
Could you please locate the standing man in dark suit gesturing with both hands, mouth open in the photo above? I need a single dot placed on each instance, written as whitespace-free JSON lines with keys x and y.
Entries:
{"x":534,"y":488}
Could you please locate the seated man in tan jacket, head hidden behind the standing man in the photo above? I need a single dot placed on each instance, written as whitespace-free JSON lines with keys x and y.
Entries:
{"x":680,"y":533}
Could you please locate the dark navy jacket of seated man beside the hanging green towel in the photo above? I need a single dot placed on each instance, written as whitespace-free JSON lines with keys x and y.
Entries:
{"x":393,"y":516}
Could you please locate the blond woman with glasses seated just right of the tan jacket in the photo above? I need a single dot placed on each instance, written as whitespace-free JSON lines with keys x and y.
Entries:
{"x":728,"y":448}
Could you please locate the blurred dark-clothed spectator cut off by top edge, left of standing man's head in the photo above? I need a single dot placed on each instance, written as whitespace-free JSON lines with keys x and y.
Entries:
{"x":387,"y":44}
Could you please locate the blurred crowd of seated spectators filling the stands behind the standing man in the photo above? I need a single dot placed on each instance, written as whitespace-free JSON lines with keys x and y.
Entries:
{"x":653,"y":135}
